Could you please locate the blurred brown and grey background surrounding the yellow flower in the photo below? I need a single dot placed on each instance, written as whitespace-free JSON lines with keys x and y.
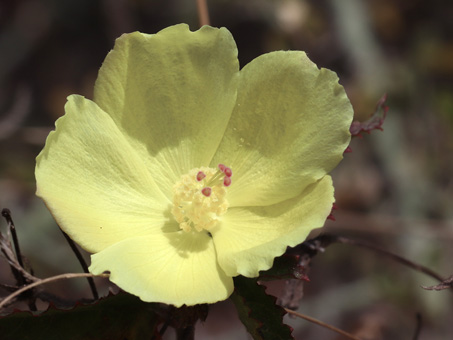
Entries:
{"x":395,"y":189}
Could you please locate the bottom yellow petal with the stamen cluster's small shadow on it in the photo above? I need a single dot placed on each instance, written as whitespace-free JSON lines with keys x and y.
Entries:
{"x":173,"y":268}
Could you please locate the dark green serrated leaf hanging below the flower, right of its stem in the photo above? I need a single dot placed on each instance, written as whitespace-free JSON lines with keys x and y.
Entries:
{"x":262,"y":318}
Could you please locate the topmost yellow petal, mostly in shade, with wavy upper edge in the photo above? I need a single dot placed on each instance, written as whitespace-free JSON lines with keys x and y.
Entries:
{"x":171,"y":94}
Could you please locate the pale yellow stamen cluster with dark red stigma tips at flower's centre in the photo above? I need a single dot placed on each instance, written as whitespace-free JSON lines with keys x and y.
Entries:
{"x":199,"y":197}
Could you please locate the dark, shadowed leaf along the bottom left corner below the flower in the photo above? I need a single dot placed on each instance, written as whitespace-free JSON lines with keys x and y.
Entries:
{"x":122,"y":316}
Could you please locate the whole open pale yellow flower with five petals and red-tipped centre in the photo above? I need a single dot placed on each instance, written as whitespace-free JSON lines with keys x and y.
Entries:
{"x":133,"y":176}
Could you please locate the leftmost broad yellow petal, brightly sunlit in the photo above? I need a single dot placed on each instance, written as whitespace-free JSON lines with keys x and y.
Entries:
{"x":95,"y":185}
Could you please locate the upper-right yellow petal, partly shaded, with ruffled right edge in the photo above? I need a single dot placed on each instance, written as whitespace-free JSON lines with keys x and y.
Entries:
{"x":289,"y":128}
